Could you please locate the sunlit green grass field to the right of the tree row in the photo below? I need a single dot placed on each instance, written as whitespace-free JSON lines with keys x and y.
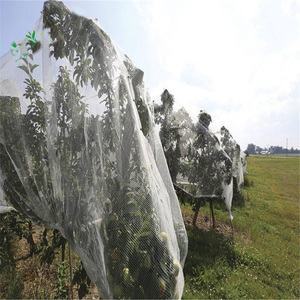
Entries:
{"x":262,"y":261}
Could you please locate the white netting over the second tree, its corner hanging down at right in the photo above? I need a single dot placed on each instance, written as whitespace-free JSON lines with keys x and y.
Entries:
{"x":206,"y":170}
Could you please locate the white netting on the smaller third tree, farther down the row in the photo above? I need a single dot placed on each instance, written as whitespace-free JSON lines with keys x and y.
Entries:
{"x":233,"y":149}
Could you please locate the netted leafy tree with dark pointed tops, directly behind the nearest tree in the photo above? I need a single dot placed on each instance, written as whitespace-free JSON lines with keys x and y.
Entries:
{"x":199,"y":165}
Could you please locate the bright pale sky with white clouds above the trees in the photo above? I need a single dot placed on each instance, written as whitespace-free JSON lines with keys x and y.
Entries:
{"x":238,"y":60}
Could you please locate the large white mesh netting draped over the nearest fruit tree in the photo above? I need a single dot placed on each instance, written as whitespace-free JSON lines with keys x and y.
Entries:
{"x":79,"y":153}
